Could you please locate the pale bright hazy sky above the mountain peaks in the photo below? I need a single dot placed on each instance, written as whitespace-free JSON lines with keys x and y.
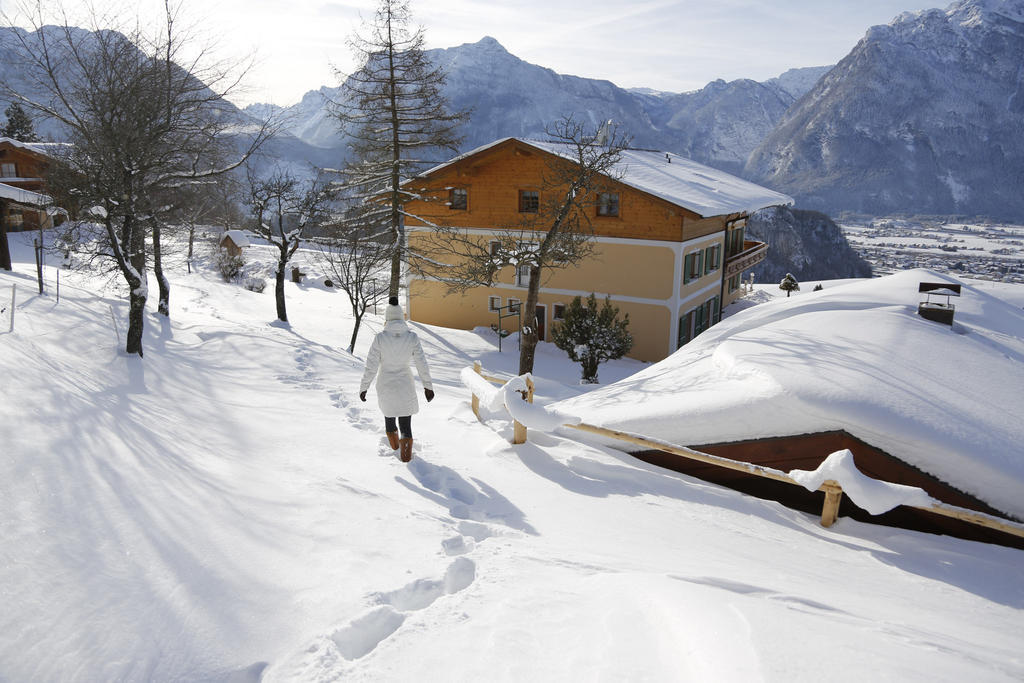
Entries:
{"x":675,"y":47}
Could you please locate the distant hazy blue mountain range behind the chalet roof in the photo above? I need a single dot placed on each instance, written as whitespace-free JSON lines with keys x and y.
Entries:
{"x":718,"y":125}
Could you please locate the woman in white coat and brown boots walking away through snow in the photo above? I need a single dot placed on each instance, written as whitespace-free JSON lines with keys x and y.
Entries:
{"x":389,"y":361}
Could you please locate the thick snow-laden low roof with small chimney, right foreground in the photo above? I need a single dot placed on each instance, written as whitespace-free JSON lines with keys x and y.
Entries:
{"x":856,"y":357}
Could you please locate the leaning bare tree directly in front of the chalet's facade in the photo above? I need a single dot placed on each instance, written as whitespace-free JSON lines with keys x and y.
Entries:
{"x":577,"y":179}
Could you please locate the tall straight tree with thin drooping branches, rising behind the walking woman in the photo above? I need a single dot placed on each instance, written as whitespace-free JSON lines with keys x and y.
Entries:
{"x":394,"y":111}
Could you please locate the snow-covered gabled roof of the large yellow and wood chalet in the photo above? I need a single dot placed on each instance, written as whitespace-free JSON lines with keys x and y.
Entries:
{"x":703,"y":190}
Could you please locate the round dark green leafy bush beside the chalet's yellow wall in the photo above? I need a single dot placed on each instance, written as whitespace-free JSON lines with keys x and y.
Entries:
{"x":591,"y":336}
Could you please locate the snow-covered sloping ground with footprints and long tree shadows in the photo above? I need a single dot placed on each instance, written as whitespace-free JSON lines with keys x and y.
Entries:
{"x":227,"y":509}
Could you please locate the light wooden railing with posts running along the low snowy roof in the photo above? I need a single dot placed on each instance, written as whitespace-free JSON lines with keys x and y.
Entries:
{"x":832,"y":489}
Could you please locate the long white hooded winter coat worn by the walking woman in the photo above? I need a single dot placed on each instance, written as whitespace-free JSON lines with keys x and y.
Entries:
{"x":389,"y":361}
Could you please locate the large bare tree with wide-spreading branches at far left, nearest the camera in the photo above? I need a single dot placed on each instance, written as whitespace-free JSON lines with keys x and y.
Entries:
{"x":142,"y":119}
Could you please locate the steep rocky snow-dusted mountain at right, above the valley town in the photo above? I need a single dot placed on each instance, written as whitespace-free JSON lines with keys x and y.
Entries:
{"x":926,"y":115}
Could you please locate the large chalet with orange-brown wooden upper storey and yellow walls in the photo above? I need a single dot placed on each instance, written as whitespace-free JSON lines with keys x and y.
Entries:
{"x":669,"y":242}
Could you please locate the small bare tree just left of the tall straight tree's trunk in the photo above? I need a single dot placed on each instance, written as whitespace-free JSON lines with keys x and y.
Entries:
{"x":358,"y":264}
